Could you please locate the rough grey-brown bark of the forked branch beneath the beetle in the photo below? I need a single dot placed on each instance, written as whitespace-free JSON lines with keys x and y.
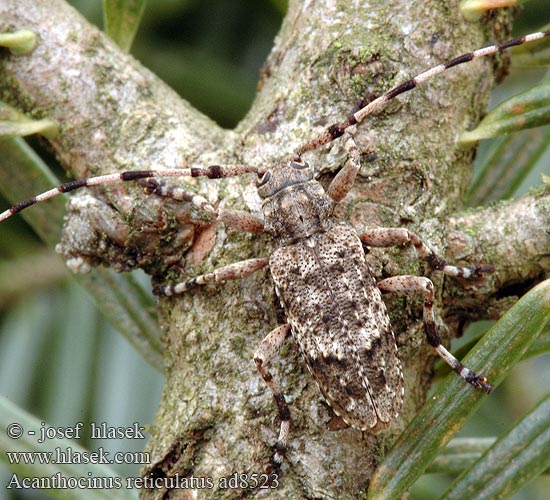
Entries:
{"x":216,"y":415}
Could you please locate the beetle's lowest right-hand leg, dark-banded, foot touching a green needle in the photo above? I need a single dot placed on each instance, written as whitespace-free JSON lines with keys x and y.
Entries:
{"x":415,"y":285}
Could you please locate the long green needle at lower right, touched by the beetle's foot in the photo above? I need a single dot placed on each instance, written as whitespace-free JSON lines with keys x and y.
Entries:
{"x":454,"y":402}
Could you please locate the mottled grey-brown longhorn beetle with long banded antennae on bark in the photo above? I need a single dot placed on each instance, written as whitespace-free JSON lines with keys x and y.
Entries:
{"x":332,"y":302}
